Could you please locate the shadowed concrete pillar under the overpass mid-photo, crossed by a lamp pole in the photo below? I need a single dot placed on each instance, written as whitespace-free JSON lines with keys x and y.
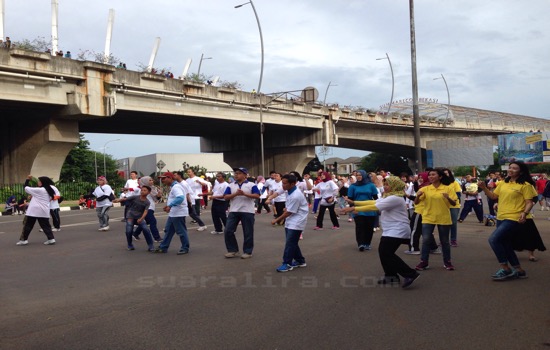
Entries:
{"x":279,"y":159}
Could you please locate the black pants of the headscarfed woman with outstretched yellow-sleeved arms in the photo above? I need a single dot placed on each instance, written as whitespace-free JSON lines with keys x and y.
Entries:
{"x":392,"y":264}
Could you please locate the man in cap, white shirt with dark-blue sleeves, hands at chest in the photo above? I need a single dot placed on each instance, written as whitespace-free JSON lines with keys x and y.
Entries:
{"x":242,"y":195}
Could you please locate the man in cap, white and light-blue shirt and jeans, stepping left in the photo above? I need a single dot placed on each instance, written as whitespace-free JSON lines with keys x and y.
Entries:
{"x":176,"y":207}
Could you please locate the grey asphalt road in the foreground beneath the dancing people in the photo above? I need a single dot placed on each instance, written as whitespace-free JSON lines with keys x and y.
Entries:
{"x":89,"y":292}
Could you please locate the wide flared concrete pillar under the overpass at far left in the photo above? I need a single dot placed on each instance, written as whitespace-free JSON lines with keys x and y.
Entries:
{"x":35,"y":146}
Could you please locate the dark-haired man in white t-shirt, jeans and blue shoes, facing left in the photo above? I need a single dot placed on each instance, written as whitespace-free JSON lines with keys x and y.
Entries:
{"x":295,"y":217}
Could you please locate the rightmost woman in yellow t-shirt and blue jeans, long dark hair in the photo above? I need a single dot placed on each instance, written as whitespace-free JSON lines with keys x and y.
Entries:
{"x":515,"y":199}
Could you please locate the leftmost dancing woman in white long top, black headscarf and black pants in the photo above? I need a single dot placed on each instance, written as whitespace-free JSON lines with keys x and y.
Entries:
{"x":38,"y":209}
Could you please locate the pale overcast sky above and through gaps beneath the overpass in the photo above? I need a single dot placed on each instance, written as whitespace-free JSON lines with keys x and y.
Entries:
{"x":494,"y":54}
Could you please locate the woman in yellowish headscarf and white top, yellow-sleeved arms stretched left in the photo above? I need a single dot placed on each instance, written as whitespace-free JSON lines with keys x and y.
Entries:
{"x":394,"y":220}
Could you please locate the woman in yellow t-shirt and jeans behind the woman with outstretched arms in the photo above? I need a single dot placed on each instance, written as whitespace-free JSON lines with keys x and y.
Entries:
{"x":437,"y":199}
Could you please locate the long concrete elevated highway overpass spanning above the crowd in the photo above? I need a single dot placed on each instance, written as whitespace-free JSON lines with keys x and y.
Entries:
{"x":45,"y":101}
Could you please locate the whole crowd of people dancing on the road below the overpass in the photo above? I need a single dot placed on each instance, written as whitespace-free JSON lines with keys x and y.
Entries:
{"x":405,"y":208}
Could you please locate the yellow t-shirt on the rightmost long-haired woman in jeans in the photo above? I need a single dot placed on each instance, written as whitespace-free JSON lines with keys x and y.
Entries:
{"x":511,"y":199}
